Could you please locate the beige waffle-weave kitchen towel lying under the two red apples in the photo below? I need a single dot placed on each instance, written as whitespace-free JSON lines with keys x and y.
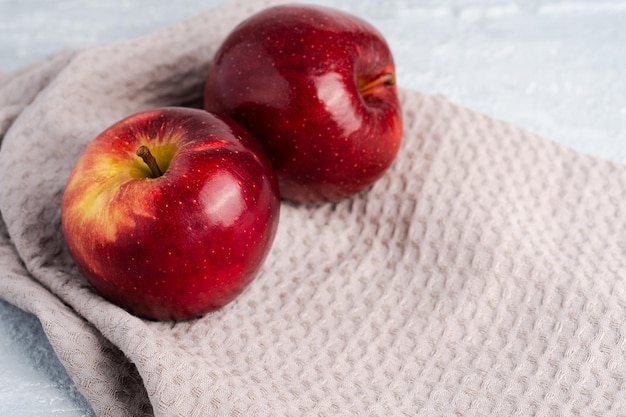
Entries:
{"x":484,"y":275}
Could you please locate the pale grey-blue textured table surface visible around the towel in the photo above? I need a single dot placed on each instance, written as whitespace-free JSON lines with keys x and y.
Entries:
{"x":557,"y":68}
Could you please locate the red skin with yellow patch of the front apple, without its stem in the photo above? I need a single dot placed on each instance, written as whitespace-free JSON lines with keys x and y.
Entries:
{"x":176,"y":246}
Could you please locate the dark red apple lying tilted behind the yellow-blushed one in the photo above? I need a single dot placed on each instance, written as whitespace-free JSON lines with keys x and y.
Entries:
{"x":316,"y":87}
